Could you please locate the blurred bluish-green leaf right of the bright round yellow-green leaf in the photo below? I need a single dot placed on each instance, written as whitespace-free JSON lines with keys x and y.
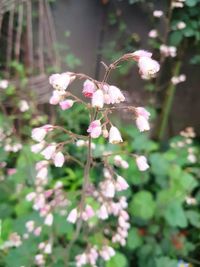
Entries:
{"x":175,"y":215}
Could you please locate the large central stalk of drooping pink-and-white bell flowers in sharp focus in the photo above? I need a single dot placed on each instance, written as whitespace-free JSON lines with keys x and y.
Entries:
{"x":107,"y":201}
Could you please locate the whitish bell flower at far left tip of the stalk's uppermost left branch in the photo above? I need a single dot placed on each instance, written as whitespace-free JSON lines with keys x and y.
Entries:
{"x":60,"y":81}
